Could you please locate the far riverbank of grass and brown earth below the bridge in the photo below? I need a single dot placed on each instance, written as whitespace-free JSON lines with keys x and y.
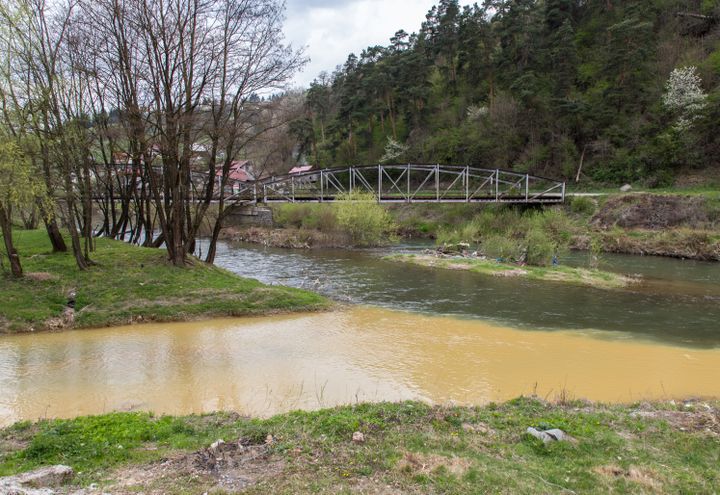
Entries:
{"x":683,"y":226}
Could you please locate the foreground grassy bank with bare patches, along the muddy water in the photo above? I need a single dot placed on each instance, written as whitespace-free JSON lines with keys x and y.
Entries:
{"x":407,"y":448}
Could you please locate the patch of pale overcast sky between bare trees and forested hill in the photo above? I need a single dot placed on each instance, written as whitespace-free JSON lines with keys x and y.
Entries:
{"x":331,"y":30}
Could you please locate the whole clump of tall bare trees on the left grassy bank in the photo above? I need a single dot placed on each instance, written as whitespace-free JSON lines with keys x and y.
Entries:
{"x":158,"y":80}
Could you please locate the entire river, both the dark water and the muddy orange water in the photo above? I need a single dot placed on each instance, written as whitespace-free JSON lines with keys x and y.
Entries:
{"x":412,"y":333}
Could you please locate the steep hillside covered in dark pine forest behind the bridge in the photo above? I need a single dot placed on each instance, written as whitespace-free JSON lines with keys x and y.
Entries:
{"x":601,"y":90}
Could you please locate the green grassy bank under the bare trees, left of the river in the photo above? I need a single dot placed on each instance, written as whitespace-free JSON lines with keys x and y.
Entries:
{"x":129,"y":284}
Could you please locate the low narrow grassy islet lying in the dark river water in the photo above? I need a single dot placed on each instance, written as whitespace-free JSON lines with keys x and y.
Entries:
{"x":563,"y":274}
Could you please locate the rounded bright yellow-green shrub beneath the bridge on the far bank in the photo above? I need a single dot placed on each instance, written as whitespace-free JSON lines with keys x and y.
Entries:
{"x":363,"y":219}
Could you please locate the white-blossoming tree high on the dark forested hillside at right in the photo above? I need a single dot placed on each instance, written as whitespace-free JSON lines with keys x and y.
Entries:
{"x":684,"y":94}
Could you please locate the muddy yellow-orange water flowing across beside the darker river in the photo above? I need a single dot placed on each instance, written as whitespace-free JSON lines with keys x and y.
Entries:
{"x":262,"y":366}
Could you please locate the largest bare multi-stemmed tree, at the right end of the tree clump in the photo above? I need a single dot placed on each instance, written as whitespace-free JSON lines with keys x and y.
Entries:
{"x":183,"y":73}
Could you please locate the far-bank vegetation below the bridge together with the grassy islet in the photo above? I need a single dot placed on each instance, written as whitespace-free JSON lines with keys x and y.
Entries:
{"x":683,"y":226}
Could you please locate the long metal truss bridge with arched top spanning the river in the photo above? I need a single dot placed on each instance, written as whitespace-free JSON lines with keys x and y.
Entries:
{"x":410,"y":183}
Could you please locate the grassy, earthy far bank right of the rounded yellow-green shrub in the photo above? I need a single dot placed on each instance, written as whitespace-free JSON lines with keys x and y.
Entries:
{"x":682,"y":226}
